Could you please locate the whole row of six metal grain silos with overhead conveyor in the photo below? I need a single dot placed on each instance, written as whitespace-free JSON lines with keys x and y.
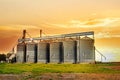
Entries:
{"x":65,"y":48}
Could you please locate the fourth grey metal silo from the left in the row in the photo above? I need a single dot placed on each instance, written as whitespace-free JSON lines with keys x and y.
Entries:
{"x":56,"y":52}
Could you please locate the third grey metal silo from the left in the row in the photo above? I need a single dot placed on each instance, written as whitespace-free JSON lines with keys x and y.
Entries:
{"x":43,"y":52}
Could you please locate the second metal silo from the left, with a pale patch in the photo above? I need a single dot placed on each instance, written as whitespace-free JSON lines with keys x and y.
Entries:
{"x":31,"y":52}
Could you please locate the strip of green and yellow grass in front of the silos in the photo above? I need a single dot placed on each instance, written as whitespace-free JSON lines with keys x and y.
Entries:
{"x":57,"y":68}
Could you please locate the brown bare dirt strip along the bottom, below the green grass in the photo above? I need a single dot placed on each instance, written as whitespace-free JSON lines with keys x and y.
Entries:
{"x":62,"y":76}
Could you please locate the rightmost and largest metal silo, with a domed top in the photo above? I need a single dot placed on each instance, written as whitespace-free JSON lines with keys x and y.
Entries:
{"x":87,"y":54}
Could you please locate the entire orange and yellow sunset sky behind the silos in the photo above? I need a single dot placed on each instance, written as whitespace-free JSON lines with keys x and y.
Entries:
{"x":60,"y":17}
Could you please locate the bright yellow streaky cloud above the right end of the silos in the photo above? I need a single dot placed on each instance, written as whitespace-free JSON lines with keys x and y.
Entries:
{"x":91,"y":23}
